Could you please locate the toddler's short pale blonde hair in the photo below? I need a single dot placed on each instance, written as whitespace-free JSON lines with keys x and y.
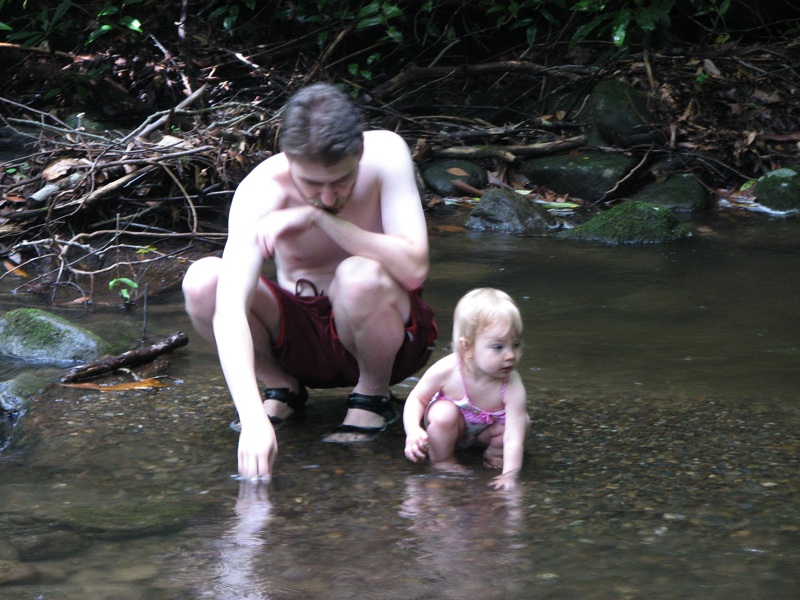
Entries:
{"x":482,"y":308}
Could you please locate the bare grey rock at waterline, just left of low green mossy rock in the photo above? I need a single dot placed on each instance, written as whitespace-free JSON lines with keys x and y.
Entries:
{"x":504,"y":211}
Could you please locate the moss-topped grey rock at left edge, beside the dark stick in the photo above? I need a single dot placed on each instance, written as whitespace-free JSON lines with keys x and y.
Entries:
{"x":35,"y":335}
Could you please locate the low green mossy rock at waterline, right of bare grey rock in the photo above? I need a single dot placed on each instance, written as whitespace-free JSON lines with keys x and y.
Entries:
{"x":632,"y":222}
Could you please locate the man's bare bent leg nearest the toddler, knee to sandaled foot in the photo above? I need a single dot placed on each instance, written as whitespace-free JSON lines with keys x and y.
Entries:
{"x":370,"y":312}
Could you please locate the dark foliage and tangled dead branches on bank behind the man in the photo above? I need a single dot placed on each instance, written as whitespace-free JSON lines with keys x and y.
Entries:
{"x":95,"y":95}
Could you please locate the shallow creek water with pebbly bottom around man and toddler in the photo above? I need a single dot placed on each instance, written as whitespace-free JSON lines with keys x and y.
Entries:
{"x":663,"y":461}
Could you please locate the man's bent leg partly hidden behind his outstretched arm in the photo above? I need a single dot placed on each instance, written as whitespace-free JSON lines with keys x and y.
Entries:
{"x":200,"y":291}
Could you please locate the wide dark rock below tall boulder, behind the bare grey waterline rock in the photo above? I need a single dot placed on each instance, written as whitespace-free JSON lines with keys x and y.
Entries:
{"x":588,"y":175}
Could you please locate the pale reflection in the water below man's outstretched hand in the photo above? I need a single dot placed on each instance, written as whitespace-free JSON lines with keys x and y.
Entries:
{"x":237,"y":575}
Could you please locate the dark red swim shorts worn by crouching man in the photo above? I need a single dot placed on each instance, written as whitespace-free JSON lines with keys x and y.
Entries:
{"x":310,"y":350}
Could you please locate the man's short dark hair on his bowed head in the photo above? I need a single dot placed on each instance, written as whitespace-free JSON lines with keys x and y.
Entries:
{"x":321,"y":124}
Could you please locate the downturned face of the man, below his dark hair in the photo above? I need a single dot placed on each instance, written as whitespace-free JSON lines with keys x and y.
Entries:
{"x":325,"y":187}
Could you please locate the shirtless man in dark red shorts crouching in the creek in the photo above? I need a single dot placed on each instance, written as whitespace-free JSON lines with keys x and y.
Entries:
{"x":339,"y":212}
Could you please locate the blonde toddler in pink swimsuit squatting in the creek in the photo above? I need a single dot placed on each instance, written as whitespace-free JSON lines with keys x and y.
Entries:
{"x":474,"y":396}
